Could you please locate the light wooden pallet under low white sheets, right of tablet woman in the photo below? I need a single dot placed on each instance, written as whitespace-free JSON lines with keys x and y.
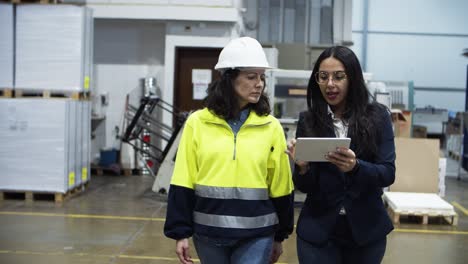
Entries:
{"x":422,"y":217}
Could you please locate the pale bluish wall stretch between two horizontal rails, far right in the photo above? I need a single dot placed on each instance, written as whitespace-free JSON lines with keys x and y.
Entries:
{"x":431,"y":61}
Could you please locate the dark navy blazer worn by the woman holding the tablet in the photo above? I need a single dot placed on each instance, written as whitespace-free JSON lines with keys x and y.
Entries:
{"x":360,"y":192}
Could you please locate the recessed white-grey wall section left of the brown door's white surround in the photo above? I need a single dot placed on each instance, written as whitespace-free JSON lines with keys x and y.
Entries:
{"x":125,"y":51}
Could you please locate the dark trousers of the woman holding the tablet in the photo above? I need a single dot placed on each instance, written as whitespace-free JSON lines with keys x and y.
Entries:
{"x":341,"y":249}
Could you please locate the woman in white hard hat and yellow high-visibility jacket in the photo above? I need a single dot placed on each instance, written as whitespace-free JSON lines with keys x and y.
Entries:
{"x":231,"y":189}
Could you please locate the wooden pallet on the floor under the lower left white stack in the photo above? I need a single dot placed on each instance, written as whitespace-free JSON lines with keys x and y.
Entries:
{"x":34,"y":196}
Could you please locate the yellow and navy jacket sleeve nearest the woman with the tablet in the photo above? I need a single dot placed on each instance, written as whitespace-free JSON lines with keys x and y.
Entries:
{"x":281,"y":187}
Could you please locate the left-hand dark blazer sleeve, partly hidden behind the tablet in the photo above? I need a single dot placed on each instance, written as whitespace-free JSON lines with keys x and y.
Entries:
{"x":307,"y":182}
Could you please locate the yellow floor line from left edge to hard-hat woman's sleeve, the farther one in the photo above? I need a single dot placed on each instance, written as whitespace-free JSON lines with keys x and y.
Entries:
{"x":107,"y":217}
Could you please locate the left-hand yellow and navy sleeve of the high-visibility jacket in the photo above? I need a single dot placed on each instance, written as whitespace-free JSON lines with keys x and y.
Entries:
{"x":180,"y":204}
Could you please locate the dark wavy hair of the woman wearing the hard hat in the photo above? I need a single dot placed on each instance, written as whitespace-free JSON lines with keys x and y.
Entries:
{"x":222,"y":98}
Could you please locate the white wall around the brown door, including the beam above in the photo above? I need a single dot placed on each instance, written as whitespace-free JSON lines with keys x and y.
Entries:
{"x":134,"y":40}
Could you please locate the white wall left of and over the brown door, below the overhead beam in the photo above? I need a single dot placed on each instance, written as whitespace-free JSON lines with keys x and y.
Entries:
{"x":128,"y":50}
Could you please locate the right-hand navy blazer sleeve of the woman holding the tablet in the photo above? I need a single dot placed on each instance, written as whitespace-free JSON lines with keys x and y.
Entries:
{"x":381,"y":171}
